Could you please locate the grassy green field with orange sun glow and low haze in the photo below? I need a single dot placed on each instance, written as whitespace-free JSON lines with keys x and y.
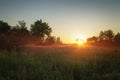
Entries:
{"x":60,"y":63}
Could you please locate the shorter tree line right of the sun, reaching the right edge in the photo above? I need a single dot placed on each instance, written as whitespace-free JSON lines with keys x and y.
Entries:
{"x":105,"y":38}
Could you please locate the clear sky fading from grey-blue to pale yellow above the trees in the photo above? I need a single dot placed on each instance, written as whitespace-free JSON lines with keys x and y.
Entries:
{"x":67,"y":18}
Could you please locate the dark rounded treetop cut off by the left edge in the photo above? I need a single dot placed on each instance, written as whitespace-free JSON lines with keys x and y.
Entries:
{"x":4,"y":27}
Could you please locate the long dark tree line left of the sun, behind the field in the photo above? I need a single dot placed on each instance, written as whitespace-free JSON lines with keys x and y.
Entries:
{"x":19,"y":35}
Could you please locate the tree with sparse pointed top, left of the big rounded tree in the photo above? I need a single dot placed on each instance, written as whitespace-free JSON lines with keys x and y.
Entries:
{"x":19,"y":34}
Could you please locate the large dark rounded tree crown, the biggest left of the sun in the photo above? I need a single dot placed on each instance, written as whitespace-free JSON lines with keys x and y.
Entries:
{"x":40,"y":29}
